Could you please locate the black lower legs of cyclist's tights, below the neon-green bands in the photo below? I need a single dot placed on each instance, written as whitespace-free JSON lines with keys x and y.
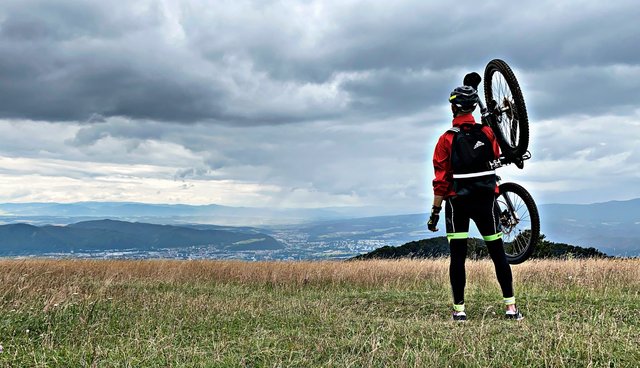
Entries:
{"x":457,"y":271}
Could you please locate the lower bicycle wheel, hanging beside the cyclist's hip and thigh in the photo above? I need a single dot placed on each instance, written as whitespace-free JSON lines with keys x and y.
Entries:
{"x":519,"y":222}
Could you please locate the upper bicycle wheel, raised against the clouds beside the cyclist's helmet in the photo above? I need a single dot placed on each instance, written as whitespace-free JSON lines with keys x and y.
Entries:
{"x":512,"y":123}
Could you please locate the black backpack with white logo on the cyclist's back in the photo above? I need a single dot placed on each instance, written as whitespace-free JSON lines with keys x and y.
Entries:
{"x":471,"y":152}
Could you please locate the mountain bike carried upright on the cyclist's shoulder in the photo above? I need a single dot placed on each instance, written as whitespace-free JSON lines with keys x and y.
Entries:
{"x":506,"y":114}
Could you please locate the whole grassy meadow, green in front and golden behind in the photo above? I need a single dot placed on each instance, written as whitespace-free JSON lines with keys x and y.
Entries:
{"x":75,"y":313}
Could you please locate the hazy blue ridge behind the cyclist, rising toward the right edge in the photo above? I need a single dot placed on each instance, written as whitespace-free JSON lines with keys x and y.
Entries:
{"x":611,"y":227}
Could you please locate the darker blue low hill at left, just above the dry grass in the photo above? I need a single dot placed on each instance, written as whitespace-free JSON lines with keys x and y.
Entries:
{"x":24,"y":239}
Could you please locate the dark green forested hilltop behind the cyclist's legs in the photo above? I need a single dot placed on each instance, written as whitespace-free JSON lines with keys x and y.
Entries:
{"x":439,"y":247}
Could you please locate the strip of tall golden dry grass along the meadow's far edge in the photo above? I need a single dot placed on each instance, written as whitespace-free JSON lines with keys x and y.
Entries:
{"x":379,"y":273}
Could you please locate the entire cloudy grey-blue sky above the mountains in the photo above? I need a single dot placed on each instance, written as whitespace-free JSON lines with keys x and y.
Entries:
{"x":304,"y":104}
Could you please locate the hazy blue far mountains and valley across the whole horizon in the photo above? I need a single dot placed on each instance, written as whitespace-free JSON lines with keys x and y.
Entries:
{"x":611,"y":227}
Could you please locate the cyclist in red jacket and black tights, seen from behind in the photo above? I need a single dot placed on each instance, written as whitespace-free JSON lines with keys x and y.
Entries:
{"x":468,"y":188}
